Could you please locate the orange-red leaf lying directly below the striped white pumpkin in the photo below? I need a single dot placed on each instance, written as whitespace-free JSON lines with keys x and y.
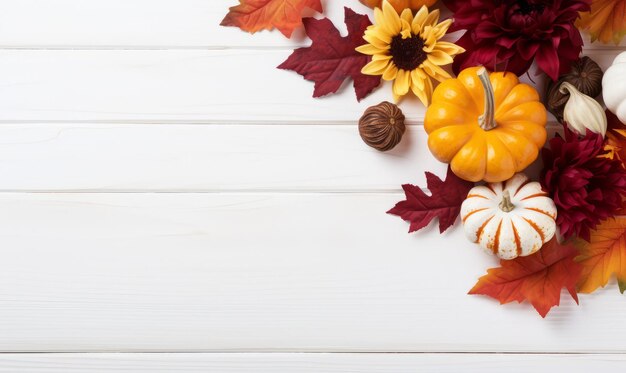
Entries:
{"x":537,"y":278}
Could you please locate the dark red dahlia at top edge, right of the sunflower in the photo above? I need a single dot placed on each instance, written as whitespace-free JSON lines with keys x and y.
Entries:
{"x":510,"y":34}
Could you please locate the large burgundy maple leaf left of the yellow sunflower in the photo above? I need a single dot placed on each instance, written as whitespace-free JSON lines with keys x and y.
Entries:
{"x":332,"y":58}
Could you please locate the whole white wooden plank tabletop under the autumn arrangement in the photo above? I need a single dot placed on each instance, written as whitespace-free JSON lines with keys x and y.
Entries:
{"x":165,"y":189}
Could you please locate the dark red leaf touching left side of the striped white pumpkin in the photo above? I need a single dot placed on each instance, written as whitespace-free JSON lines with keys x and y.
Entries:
{"x":444,"y":202}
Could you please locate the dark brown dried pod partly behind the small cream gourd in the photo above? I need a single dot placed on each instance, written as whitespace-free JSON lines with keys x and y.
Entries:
{"x":585,"y":75}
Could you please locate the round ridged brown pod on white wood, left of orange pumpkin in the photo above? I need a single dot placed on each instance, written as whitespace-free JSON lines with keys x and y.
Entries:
{"x":382,"y":126}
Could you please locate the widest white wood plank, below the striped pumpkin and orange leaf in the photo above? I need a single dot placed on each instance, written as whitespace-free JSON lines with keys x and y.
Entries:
{"x":260,"y":272}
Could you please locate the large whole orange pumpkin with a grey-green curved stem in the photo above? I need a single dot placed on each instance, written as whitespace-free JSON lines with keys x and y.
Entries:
{"x":487,"y":126}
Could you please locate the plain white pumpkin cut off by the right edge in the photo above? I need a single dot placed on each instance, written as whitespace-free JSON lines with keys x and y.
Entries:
{"x":614,"y":87}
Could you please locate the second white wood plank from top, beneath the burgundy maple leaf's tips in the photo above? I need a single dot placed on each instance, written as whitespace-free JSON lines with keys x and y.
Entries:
{"x":175,"y":85}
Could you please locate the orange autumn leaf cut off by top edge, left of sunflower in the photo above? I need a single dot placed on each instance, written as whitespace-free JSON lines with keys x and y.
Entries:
{"x":257,"y":15}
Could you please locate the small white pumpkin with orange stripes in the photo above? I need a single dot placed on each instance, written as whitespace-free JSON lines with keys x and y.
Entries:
{"x":510,"y":219}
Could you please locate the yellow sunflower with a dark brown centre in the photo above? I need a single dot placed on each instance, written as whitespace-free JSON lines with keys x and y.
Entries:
{"x":407,"y":49}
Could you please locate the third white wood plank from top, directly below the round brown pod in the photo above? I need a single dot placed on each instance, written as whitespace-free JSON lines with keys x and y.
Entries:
{"x":148,"y":157}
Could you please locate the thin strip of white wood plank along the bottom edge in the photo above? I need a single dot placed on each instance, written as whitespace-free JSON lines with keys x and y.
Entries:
{"x":309,"y":363}
